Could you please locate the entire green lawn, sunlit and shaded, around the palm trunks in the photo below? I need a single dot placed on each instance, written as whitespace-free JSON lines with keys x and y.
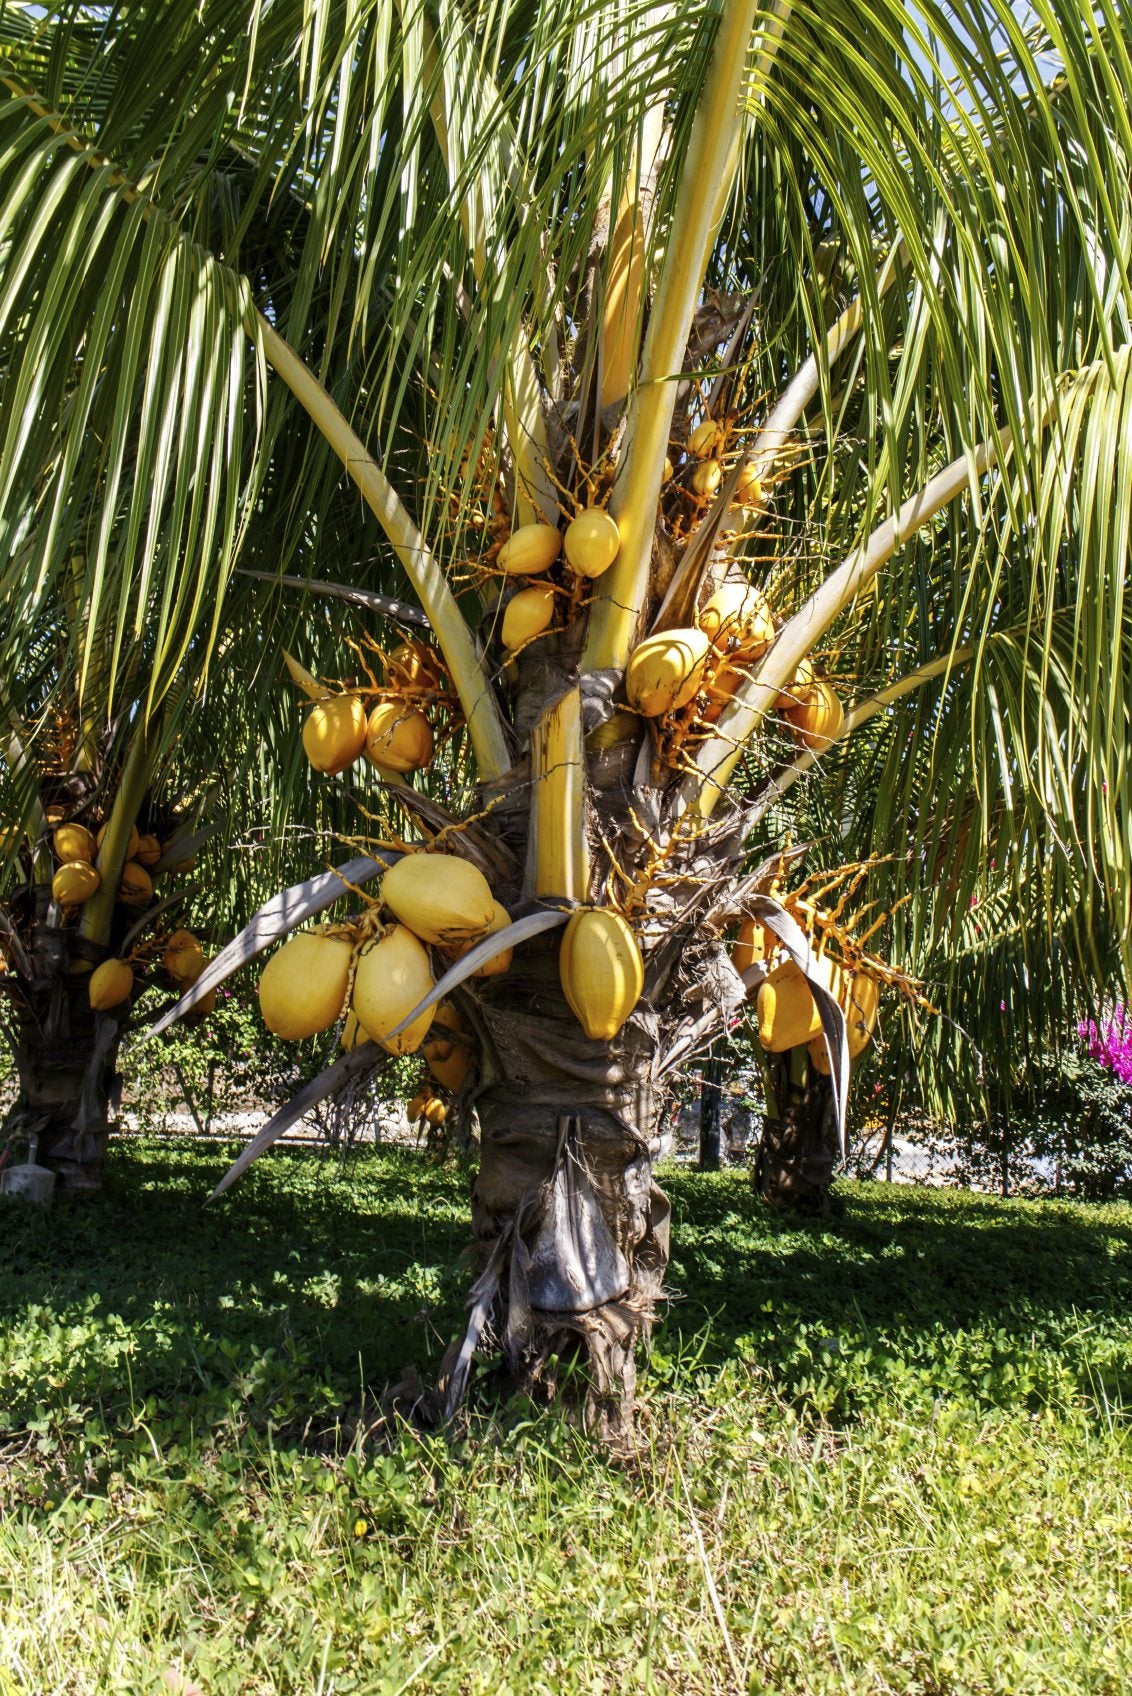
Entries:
{"x":883,"y":1456}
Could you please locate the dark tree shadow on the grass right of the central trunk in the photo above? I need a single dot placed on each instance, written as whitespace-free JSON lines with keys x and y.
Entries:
{"x":912,"y":1292}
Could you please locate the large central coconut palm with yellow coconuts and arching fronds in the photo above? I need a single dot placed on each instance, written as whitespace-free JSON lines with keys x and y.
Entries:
{"x":826,"y":310}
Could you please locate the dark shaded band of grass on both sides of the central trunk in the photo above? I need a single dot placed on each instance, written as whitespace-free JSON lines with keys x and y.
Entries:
{"x":311,"y":1280}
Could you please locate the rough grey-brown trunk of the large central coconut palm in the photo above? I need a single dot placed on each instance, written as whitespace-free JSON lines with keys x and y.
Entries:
{"x":571,"y":1227}
